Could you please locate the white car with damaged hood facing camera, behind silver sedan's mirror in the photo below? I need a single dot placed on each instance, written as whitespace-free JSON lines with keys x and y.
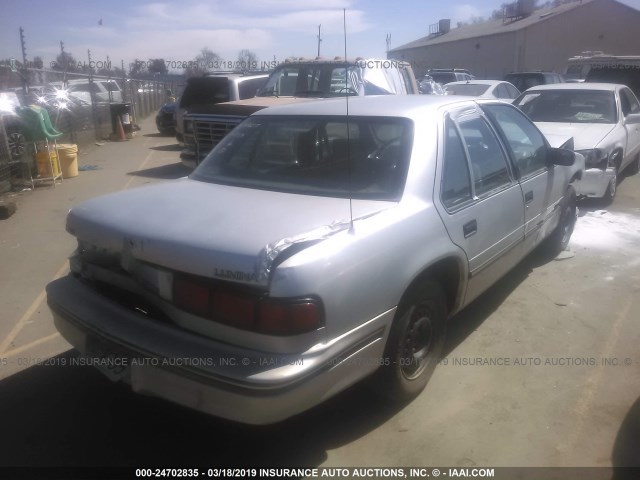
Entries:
{"x":604,"y":121}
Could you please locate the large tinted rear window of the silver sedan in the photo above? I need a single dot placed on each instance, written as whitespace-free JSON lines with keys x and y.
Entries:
{"x":358,"y":157}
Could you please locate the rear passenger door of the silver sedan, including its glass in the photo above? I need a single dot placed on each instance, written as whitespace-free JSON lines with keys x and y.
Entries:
{"x":480,"y":201}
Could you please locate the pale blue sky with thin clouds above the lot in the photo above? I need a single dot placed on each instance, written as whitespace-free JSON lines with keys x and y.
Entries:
{"x":124,"y":30}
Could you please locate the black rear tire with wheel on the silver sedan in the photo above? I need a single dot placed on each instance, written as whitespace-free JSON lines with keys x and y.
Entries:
{"x":415,"y":343}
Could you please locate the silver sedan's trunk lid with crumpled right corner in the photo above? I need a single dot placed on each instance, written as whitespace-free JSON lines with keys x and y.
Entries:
{"x":211,"y":230}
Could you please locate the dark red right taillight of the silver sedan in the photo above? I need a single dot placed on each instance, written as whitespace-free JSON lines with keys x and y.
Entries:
{"x":244,"y":309}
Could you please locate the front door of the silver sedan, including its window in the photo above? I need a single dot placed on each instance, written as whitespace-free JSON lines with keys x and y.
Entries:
{"x":542,"y":184}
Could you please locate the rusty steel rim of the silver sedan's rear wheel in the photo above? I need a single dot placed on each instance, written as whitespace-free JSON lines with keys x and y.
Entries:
{"x":417,"y":342}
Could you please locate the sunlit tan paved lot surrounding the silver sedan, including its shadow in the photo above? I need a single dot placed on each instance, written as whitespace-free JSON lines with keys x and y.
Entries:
{"x":543,"y":370}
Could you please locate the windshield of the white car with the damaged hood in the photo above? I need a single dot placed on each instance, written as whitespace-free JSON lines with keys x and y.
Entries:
{"x":572,"y":106}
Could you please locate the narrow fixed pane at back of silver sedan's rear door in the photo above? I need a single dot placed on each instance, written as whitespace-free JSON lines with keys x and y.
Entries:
{"x":456,"y":180}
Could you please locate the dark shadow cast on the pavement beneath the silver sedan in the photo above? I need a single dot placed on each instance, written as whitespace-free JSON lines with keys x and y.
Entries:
{"x":73,"y":416}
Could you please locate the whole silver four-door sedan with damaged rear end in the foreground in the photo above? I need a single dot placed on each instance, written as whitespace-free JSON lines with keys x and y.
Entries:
{"x":326,"y":248}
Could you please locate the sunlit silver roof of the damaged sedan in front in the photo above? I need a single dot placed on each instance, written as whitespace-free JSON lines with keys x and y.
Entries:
{"x":408,"y":106}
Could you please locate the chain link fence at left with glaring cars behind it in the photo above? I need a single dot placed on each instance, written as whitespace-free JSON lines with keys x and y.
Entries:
{"x":85,"y":108}
